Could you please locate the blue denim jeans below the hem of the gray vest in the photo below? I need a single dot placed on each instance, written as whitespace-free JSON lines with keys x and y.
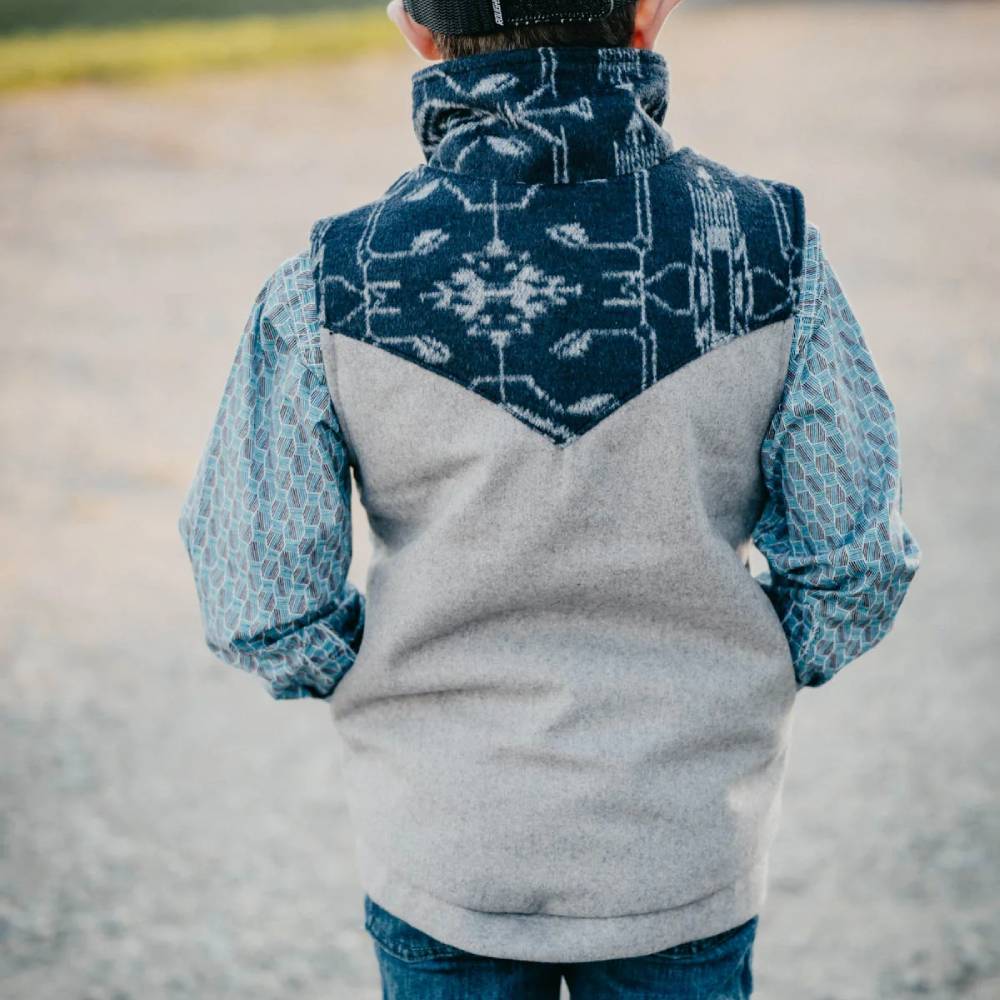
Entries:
{"x":416,"y":966}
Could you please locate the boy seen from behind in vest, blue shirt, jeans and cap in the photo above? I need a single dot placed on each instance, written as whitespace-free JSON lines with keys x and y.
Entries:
{"x":576,"y":371}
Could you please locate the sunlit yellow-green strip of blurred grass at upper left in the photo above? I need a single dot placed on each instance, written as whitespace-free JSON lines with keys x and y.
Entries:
{"x":172,"y":47}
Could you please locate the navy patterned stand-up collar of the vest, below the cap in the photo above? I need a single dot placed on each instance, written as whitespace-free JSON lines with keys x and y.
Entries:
{"x":548,"y":115}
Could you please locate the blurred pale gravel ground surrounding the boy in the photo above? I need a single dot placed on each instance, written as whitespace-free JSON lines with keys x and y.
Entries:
{"x":170,"y":832}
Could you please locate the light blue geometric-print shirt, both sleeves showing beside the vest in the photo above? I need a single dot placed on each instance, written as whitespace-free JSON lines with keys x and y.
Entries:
{"x":273,"y":485}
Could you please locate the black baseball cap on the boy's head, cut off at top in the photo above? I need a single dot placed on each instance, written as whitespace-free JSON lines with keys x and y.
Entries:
{"x":482,"y":17}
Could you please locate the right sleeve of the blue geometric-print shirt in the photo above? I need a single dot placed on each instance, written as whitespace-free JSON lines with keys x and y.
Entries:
{"x":840,"y":556}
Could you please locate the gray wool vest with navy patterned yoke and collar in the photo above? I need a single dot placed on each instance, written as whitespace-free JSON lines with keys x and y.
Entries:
{"x":554,"y":350}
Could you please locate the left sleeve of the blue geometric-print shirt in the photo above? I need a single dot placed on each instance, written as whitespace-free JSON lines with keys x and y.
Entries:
{"x":266,"y":521}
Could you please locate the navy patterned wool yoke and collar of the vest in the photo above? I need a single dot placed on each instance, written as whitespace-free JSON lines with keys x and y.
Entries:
{"x":506,"y":265}
